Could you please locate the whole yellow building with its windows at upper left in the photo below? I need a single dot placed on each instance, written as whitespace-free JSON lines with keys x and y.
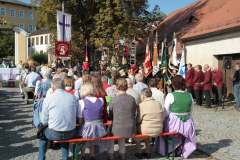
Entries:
{"x":14,"y":11}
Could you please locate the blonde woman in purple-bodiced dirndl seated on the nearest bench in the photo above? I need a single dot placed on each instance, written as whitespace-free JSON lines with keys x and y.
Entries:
{"x":90,"y":112}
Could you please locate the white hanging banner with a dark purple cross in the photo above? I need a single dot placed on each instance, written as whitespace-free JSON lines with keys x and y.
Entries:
{"x":63,"y":26}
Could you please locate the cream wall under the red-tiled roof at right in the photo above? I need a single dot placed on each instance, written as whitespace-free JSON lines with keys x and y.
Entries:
{"x":206,"y":51}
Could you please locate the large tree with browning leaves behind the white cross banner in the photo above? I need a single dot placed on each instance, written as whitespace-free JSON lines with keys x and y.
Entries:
{"x":101,"y":22}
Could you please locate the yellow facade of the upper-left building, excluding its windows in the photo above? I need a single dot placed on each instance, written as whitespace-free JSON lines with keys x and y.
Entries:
{"x":26,"y":21}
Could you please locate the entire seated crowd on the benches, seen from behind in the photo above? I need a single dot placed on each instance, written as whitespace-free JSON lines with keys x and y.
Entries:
{"x":65,"y":98}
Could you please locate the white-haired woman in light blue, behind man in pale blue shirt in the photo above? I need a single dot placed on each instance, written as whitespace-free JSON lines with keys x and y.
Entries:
{"x":44,"y":84}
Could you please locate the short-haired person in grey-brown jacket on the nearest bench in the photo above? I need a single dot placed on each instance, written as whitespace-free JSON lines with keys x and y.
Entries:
{"x":122,"y":109}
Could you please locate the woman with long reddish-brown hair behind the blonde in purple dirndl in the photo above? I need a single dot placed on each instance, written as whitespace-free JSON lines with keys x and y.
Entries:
{"x":100,"y":93}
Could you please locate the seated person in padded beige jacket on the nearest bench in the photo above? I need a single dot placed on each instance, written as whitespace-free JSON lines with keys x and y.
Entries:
{"x":150,"y":119}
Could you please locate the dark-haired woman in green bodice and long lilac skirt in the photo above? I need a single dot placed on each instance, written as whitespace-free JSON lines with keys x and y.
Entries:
{"x":178,"y":112}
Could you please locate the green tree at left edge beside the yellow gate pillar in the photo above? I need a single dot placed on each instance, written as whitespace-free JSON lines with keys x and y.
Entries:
{"x":7,"y":41}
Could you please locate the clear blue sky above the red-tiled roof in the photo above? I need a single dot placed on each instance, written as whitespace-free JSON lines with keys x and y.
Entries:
{"x":166,"y":6}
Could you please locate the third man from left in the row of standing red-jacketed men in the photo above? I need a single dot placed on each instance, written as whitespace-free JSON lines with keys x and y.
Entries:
{"x":207,"y":85}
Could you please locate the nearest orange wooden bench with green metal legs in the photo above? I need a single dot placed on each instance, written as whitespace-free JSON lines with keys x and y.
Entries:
{"x":75,"y":141}
